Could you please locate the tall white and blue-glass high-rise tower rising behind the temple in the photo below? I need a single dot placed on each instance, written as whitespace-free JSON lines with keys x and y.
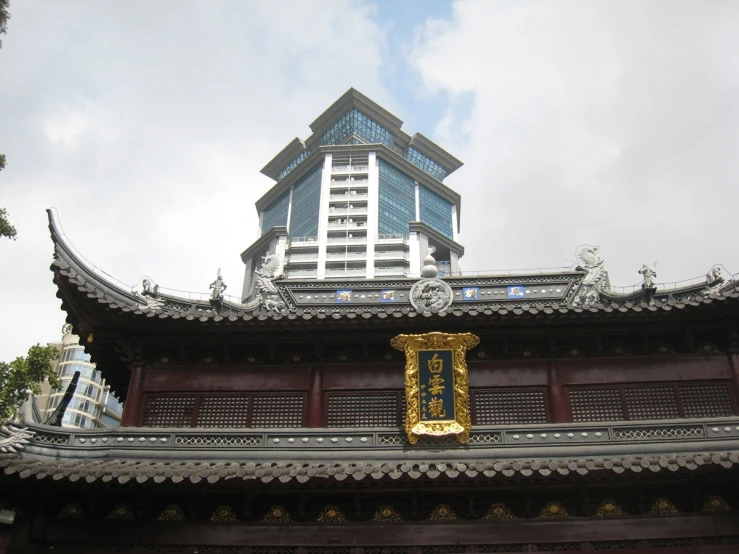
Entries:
{"x":358,"y":198}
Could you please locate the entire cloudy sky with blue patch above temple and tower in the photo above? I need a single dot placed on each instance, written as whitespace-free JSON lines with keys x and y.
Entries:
{"x":146,"y":124}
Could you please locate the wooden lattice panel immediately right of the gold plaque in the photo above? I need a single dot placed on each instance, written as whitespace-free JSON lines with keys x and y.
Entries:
{"x":503,"y":406}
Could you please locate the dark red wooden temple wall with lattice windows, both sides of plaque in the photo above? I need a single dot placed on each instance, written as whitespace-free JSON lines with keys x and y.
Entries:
{"x":372,"y":394}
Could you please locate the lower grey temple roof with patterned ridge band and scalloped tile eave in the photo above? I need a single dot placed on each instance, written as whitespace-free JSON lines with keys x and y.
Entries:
{"x":371,"y":454}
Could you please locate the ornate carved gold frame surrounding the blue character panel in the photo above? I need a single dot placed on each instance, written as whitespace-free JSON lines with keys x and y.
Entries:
{"x":458,"y":343}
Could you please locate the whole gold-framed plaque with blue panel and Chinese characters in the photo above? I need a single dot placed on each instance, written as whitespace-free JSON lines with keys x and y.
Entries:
{"x":436,"y":384}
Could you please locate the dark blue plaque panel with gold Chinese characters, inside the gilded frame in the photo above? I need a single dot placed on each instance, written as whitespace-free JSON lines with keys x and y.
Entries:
{"x":436,"y":385}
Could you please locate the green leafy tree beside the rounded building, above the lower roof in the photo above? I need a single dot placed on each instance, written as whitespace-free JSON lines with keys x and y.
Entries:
{"x":26,"y":374}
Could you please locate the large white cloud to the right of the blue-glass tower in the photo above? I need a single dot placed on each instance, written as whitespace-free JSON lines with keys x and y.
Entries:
{"x":614,"y":123}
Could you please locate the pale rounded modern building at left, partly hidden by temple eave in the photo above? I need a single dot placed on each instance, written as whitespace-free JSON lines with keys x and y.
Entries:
{"x":92,"y":405}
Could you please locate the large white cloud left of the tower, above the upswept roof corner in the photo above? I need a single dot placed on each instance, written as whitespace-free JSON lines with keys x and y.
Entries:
{"x":146,"y":125}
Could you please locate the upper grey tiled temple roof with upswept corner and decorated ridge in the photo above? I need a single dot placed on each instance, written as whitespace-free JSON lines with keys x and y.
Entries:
{"x":73,"y":276}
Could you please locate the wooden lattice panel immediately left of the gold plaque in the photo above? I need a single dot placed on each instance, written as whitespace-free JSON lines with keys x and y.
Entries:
{"x":362,"y":410}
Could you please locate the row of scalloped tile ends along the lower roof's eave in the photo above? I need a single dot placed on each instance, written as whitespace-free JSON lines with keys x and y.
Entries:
{"x":123,"y":471}
